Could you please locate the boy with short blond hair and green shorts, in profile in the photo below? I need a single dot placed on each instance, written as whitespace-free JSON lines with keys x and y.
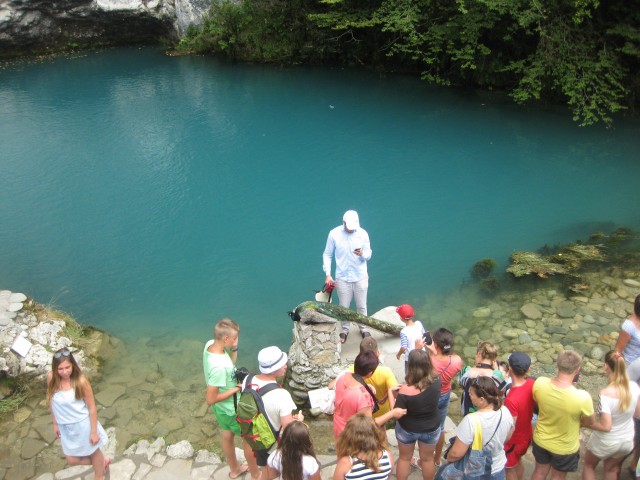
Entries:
{"x":218,"y":360}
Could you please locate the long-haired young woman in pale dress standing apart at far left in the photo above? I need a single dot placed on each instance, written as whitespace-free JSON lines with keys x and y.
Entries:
{"x":74,"y":413}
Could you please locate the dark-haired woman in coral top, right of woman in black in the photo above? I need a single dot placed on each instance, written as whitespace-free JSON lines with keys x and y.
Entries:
{"x":446,"y":365}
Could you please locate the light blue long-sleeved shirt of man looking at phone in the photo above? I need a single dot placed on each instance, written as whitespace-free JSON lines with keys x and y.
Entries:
{"x":340,"y":244}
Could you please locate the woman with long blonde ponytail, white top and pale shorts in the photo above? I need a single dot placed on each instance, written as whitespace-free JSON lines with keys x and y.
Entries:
{"x":612,"y":439}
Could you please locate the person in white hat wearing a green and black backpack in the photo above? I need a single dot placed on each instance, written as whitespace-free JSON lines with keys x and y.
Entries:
{"x":265,"y":408}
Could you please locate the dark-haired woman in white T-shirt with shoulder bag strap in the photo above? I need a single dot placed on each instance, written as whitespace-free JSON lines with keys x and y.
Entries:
{"x":497,"y":427}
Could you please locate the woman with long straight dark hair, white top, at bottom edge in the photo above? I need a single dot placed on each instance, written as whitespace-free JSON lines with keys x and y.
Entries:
{"x":295,"y":458}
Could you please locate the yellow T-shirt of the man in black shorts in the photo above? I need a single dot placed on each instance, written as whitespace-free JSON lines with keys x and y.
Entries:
{"x":560,"y":412}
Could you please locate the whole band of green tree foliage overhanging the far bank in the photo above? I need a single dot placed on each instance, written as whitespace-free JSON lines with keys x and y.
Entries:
{"x":584,"y":53}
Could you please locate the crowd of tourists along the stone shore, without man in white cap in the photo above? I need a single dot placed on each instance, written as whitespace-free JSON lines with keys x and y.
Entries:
{"x":504,"y":411}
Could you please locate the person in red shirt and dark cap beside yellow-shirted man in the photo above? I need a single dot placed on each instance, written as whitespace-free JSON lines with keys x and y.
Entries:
{"x":520,"y":403}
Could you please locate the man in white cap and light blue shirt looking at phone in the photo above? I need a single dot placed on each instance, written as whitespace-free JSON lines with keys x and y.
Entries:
{"x":349,"y":244}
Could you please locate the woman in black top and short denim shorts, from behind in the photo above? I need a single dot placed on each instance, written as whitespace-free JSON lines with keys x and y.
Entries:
{"x":419,"y":395}
